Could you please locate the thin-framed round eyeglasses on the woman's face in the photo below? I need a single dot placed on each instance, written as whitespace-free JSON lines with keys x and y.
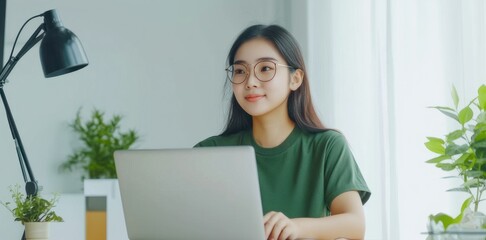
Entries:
{"x":264,"y":71}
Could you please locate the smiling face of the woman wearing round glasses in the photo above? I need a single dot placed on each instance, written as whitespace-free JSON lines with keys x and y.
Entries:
{"x":259,"y":98}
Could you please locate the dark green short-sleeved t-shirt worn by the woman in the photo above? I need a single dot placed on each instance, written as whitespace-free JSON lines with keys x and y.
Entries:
{"x":301,"y":176}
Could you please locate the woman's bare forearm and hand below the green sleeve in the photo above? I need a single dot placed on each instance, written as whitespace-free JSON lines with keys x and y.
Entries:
{"x":346,"y":221}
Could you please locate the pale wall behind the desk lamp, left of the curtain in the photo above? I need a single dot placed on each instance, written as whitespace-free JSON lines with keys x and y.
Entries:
{"x":158,"y":63}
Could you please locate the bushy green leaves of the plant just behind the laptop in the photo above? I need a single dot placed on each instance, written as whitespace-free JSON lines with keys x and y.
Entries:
{"x":100,"y":140}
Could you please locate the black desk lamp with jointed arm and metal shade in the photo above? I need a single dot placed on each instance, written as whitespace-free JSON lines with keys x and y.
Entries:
{"x":60,"y":53}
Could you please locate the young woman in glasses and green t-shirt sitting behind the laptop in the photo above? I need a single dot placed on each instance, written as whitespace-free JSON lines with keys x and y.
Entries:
{"x":311,"y":186}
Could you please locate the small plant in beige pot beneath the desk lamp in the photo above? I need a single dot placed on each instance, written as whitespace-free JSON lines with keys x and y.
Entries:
{"x":34,"y":212}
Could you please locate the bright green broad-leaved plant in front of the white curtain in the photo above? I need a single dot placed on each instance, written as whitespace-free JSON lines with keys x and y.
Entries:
{"x":463,"y":151}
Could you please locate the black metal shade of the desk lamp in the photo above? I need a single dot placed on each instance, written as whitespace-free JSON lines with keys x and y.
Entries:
{"x":61,"y":51}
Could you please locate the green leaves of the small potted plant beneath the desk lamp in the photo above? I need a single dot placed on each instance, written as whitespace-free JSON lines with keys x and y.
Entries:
{"x":32,"y":208}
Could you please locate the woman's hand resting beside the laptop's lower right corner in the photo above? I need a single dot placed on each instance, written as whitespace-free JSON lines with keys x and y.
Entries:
{"x":279,"y":227}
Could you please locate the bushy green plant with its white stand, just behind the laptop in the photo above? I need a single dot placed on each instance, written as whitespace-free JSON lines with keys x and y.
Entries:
{"x":100,"y":138}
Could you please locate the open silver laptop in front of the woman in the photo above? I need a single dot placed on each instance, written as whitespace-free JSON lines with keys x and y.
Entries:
{"x":193,"y":193}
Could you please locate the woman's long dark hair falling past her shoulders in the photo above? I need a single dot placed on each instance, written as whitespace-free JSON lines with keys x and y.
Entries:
{"x":300,"y":107}
